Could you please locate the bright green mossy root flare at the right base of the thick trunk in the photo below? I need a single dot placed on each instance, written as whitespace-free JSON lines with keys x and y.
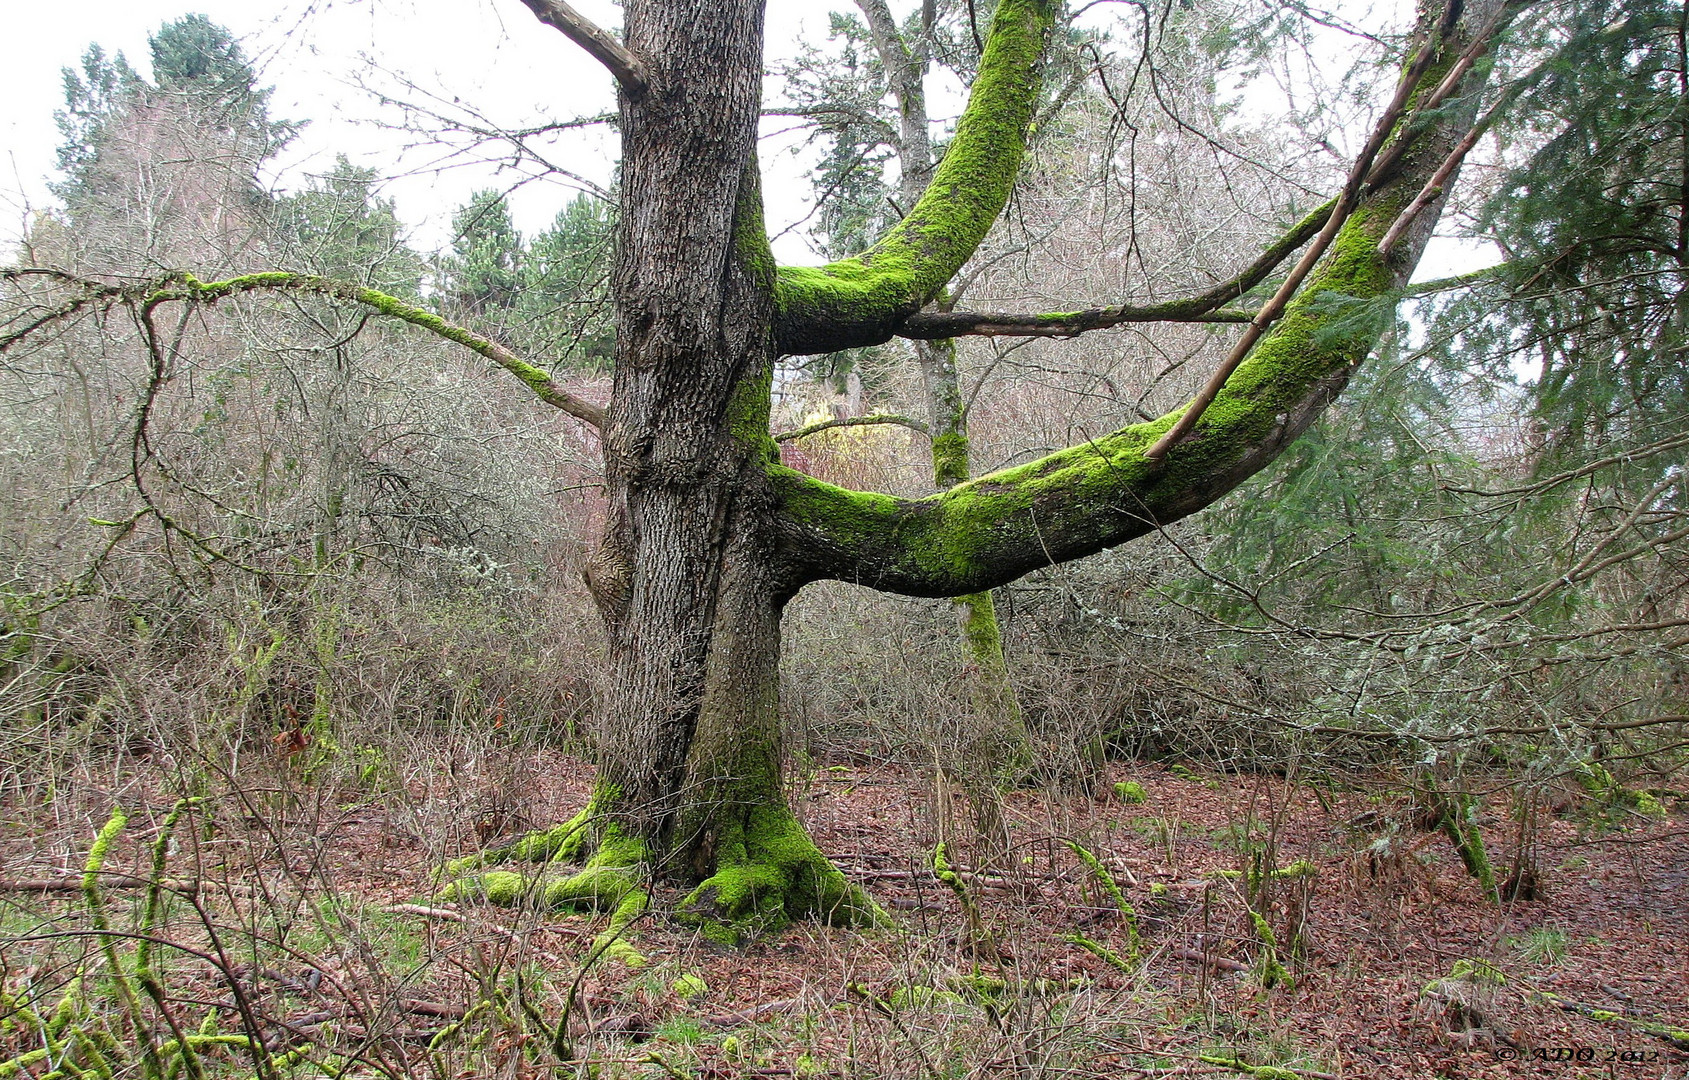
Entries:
{"x":768,"y":875}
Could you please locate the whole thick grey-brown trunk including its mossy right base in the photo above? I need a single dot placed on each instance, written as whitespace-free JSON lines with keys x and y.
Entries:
{"x":688,"y":574}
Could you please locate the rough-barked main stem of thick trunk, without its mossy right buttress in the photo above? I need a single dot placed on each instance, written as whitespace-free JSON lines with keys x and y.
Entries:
{"x":693,"y":339}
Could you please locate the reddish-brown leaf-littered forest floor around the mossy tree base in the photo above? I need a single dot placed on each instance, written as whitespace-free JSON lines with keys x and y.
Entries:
{"x":308,"y":914}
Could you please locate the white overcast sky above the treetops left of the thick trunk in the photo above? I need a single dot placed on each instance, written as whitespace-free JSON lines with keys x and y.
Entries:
{"x":320,"y":55}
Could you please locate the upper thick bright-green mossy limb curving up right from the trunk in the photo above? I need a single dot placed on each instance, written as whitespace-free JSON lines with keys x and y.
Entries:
{"x":862,"y":300}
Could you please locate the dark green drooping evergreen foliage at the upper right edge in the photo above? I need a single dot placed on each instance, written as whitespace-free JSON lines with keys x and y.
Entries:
{"x":1595,"y":222}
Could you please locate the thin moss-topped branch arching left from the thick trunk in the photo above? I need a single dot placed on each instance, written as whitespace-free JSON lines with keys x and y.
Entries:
{"x":188,"y":288}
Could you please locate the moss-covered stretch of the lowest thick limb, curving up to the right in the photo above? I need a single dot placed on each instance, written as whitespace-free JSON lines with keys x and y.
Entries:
{"x":1078,"y":501}
